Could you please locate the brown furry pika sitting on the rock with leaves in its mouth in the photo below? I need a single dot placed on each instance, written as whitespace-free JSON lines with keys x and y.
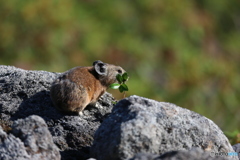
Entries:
{"x":78,"y":87}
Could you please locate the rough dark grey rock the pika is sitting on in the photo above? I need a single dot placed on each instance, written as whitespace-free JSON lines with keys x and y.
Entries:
{"x":24,"y":93}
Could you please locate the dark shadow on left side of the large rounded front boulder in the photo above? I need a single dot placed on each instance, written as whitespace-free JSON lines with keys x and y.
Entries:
{"x":108,"y":136}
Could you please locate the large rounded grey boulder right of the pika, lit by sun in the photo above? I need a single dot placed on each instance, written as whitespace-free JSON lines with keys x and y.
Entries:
{"x":139,"y":124}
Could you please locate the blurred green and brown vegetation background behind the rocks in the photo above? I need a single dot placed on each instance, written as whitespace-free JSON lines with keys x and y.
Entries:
{"x":183,"y":52}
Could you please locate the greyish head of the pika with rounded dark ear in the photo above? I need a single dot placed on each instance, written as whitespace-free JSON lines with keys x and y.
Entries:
{"x":107,"y":72}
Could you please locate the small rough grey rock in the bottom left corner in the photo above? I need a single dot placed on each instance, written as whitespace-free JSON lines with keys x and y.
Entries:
{"x":29,"y":139}
